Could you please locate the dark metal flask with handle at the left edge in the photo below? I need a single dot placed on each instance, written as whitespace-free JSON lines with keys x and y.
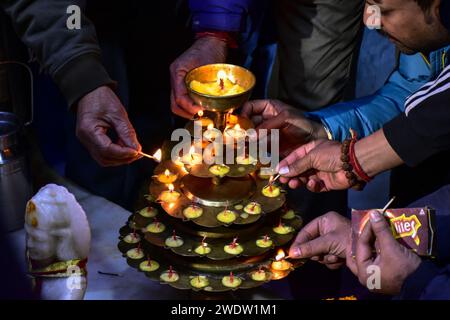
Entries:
{"x":15,"y":178}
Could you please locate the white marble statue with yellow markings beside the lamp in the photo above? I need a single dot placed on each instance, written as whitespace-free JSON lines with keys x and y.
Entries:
{"x":58,"y":243}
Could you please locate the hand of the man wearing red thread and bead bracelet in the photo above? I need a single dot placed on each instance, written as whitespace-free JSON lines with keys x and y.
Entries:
{"x":316,"y":165}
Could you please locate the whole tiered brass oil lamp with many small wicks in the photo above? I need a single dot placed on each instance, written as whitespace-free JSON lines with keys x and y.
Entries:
{"x":212,"y":227}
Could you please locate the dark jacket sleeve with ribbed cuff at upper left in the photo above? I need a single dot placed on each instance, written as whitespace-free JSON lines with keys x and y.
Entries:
{"x":71,"y":57}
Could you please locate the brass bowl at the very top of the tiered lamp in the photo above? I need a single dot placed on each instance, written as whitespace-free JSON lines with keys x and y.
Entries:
{"x":208,"y":74}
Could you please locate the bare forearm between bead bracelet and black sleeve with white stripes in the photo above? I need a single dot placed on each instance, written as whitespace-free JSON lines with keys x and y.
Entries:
{"x":375,"y":155}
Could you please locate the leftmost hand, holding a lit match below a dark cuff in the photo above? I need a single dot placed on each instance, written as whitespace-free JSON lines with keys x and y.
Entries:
{"x":98,"y":112}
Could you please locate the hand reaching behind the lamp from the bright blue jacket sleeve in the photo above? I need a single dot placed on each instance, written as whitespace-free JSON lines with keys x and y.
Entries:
{"x":295,"y":129}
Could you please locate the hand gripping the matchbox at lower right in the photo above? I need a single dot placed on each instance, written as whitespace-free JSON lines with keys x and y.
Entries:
{"x":395,"y":261}
